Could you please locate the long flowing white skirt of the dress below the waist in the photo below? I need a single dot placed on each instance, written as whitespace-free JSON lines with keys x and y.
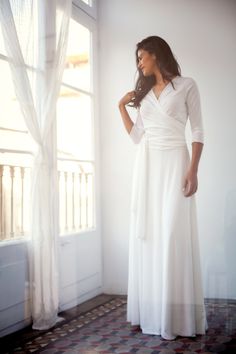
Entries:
{"x":165,"y":295}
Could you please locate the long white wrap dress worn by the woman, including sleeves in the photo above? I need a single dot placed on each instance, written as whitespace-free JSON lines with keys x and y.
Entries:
{"x":165,"y":295}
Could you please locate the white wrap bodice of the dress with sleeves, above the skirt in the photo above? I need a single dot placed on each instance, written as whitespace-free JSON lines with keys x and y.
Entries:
{"x":164,"y":119}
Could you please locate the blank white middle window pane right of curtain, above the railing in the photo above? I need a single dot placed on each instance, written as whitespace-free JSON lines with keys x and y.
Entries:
{"x":74,"y":125}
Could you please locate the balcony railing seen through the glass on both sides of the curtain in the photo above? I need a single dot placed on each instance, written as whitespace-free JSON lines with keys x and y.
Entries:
{"x":76,"y":198}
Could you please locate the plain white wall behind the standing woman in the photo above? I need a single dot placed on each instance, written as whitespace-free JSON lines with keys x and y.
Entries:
{"x":202,"y":36}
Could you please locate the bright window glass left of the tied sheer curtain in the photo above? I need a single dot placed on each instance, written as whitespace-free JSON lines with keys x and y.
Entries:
{"x":16,"y":147}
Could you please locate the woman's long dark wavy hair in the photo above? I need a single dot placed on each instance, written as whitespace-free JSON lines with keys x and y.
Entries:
{"x":166,"y":63}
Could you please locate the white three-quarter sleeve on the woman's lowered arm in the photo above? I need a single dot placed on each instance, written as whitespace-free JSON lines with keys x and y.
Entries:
{"x":194,"y":112}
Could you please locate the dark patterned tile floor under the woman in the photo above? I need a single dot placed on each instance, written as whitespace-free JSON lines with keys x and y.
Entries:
{"x":104,"y":330}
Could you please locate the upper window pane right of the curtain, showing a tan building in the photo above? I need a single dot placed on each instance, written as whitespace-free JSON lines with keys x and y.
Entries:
{"x":77,"y":71}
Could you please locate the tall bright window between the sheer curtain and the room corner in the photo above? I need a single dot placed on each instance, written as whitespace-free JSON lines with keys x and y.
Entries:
{"x":75,"y":133}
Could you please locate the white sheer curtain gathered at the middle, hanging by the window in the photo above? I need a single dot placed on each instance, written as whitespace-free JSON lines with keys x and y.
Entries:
{"x":35,"y":35}
